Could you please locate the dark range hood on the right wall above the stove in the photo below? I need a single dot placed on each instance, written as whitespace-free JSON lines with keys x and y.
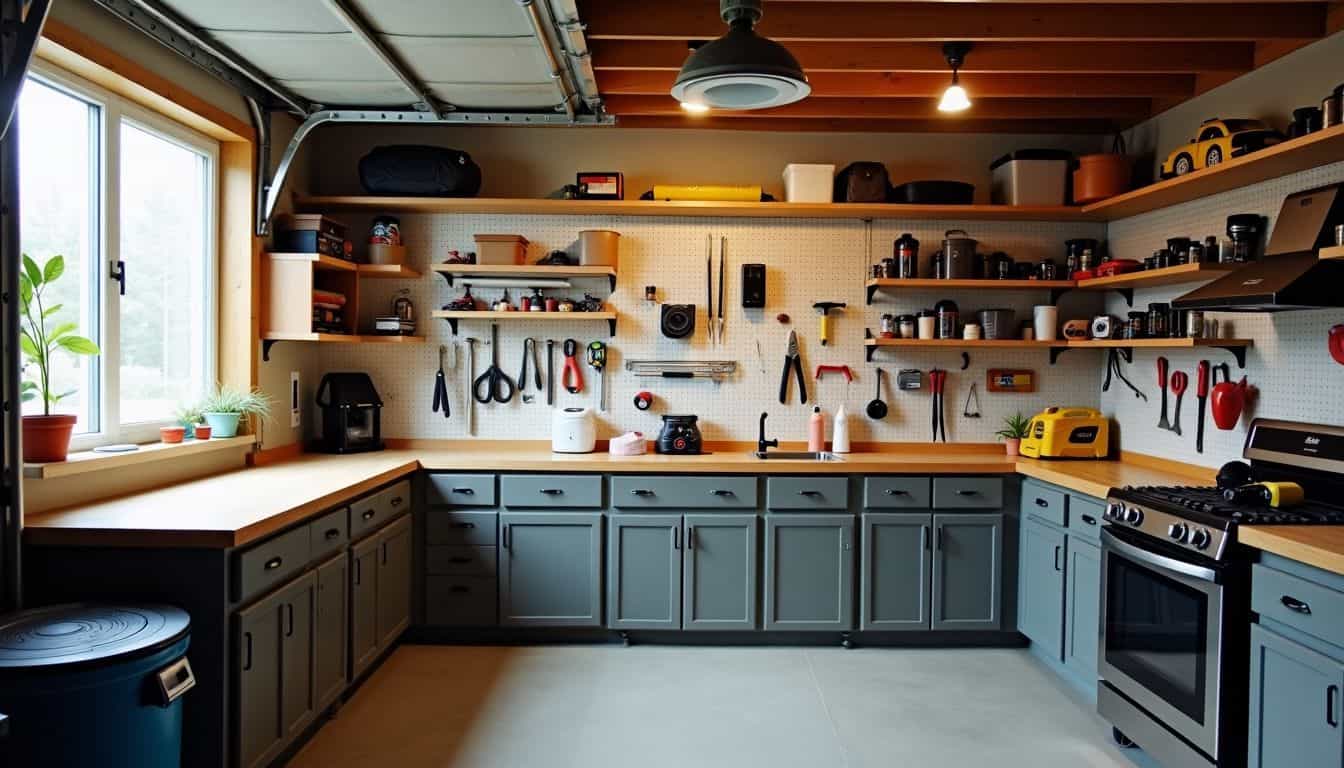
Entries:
{"x":1291,"y":276}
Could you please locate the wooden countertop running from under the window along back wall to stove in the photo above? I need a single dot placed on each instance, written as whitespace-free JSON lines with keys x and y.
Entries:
{"x":240,"y":508}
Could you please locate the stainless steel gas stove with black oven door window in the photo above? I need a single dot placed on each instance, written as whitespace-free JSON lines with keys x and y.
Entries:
{"x":1177,"y":598}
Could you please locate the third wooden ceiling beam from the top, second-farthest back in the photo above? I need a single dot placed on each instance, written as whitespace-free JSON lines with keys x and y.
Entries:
{"x":982,"y":85}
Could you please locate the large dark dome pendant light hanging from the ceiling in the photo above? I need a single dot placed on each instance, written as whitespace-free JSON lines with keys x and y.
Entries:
{"x":740,"y":71}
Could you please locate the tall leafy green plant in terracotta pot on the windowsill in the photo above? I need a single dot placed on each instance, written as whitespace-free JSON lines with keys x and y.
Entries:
{"x":46,"y":438}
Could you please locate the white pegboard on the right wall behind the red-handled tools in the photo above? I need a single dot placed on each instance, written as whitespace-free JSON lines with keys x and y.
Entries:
{"x":1290,"y":364}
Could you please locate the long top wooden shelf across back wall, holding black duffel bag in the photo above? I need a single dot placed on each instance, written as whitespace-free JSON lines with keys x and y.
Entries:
{"x":525,"y":206}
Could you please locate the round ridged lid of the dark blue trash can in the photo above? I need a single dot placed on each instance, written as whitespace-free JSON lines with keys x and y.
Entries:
{"x":88,"y":633}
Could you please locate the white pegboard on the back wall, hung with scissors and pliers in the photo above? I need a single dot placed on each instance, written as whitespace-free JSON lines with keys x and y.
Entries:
{"x":807,"y":262}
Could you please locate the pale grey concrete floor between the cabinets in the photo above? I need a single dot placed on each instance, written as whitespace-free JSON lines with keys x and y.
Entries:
{"x":596,"y":707}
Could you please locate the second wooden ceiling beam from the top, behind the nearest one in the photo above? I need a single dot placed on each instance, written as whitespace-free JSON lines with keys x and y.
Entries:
{"x":815,"y":57}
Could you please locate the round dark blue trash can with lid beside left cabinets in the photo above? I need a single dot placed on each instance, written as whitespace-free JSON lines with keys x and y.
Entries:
{"x":95,"y":685}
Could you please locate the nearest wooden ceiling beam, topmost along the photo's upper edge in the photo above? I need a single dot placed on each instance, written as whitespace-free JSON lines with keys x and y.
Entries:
{"x":1023,"y":22}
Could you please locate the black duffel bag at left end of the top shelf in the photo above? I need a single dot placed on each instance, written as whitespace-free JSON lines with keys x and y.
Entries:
{"x":420,"y":171}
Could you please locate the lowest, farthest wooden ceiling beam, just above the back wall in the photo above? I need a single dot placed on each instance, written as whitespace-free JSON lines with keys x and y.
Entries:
{"x":1054,"y":110}
